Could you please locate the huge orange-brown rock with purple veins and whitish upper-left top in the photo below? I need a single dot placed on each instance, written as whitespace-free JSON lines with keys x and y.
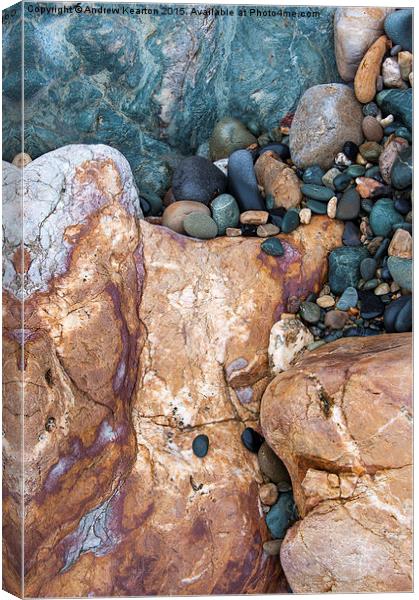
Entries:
{"x":137,"y":339}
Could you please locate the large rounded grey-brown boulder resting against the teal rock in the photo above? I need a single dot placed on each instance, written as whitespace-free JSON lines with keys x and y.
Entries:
{"x":327,"y":116}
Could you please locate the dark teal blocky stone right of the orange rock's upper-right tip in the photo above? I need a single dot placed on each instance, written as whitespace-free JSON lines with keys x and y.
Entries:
{"x":344,"y":267}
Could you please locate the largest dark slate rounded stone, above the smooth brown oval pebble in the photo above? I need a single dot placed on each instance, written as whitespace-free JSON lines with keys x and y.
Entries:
{"x":196,"y":178}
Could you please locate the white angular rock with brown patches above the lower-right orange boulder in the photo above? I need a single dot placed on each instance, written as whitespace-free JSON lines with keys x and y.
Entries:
{"x":288,"y":337}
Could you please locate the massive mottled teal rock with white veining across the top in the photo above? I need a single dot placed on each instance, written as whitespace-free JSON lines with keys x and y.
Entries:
{"x":153,"y":86}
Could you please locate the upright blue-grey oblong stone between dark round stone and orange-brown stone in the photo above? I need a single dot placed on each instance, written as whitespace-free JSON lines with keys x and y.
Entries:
{"x":242,"y":182}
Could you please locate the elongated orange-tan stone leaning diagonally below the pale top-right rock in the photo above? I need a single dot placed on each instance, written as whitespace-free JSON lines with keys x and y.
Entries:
{"x":365,"y":83}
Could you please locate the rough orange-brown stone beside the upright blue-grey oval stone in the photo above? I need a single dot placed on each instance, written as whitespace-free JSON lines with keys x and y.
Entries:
{"x":279,"y":180}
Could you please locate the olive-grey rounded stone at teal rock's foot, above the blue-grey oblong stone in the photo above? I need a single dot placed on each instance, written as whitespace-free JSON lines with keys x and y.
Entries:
{"x":228,"y":135}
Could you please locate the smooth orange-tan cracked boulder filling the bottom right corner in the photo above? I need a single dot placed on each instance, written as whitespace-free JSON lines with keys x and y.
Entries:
{"x":341,"y":420}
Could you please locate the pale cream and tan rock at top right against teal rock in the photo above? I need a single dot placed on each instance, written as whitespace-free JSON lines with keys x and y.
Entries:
{"x":356,"y":29}
